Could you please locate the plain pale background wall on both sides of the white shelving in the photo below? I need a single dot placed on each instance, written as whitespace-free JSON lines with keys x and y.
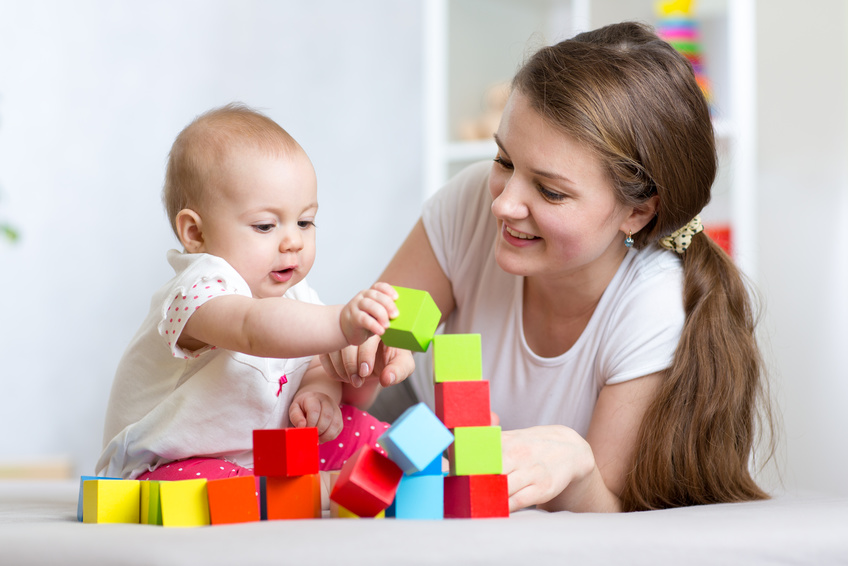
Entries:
{"x":93,"y":92}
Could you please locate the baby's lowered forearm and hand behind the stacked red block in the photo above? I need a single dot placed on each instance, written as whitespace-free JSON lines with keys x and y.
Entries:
{"x":316,"y":403}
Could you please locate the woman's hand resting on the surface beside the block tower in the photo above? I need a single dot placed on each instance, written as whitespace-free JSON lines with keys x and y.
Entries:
{"x":553,"y":467}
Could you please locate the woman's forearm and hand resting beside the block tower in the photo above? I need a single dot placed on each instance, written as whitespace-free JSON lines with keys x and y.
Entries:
{"x":555,"y":468}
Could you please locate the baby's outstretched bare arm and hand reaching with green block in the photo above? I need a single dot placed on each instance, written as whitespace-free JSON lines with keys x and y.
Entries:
{"x":278,"y":327}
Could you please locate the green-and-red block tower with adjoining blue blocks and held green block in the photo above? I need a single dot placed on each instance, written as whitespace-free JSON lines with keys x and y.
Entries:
{"x":475,"y":486}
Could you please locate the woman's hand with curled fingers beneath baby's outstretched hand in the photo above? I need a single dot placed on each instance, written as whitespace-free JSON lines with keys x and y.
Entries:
{"x":374,"y":359}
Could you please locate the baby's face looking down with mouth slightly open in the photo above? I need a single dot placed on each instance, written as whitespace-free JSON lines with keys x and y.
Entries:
{"x":260,"y":218}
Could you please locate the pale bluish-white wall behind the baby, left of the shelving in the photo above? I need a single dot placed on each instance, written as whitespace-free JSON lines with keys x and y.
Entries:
{"x":92,"y":93}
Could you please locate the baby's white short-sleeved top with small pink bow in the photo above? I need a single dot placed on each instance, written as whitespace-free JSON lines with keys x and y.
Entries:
{"x":169,"y":404}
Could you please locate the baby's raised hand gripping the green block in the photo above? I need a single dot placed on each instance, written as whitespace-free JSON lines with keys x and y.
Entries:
{"x":368,"y":313}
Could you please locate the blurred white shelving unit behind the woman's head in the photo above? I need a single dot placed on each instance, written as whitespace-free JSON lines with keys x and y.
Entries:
{"x":472,"y":44}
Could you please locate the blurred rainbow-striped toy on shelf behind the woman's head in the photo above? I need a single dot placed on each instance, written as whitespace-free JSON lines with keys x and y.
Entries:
{"x":678,"y":26}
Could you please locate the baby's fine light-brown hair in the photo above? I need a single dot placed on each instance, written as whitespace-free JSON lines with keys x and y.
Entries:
{"x":207,"y":142}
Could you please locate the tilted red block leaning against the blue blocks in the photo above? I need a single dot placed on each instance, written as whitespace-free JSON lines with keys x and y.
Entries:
{"x":367,"y":483}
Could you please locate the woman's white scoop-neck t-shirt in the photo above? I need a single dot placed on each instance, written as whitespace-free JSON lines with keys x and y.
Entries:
{"x":633,"y":332}
